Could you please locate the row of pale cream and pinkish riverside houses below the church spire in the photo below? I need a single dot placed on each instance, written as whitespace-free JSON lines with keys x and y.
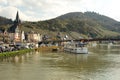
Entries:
{"x":20,"y":37}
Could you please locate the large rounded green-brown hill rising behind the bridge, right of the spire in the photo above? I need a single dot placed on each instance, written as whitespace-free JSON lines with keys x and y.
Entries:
{"x":88,"y":23}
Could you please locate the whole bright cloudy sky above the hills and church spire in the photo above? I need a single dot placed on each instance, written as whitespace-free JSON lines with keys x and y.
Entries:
{"x":37,"y":10}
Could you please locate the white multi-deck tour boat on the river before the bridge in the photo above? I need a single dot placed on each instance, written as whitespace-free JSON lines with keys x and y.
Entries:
{"x":76,"y":47}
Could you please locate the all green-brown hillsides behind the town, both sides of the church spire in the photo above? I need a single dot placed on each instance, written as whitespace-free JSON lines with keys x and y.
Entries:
{"x":75,"y":25}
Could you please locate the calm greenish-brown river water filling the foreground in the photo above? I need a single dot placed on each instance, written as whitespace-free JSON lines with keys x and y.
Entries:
{"x":100,"y":63}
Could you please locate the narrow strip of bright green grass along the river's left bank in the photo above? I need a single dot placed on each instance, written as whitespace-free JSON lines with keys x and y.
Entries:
{"x":14,"y":53}
